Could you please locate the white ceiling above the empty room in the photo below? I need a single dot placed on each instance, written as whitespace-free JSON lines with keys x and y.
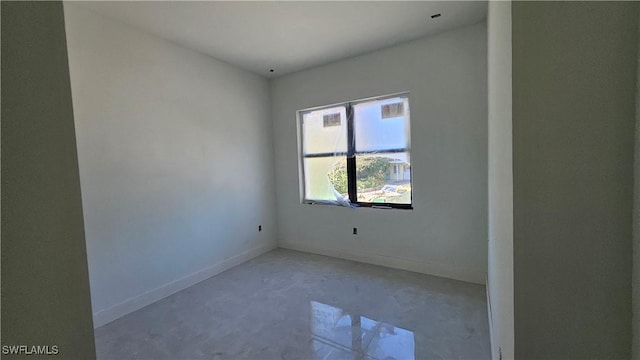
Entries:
{"x":289,"y":36}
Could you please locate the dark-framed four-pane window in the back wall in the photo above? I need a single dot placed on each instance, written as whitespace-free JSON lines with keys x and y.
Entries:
{"x":357,"y":153}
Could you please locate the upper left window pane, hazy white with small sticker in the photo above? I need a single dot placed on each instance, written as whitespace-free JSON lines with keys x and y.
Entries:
{"x":324,"y":131}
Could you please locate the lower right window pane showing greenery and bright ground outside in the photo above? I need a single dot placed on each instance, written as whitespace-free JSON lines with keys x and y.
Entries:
{"x":384,"y":178}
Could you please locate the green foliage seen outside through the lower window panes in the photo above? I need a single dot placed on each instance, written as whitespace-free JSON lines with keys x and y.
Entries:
{"x":371,"y":172}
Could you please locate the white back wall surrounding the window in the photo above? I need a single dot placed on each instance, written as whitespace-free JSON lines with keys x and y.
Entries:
{"x":446,"y":232}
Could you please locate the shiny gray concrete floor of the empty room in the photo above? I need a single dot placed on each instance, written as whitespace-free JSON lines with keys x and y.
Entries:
{"x":292,"y":305}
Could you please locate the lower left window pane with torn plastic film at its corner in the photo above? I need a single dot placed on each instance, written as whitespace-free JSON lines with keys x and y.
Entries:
{"x":321,"y":173}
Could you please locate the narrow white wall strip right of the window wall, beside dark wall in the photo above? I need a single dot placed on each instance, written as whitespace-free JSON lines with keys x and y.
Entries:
{"x":500,"y":268}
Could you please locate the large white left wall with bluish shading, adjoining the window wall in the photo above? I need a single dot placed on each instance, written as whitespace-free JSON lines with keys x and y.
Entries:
{"x":176,"y":162}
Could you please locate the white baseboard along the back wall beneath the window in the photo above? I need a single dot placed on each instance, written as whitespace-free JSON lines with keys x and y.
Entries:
{"x":423,"y":267}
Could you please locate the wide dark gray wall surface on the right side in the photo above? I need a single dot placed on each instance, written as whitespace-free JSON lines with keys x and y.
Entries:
{"x":574,"y":88}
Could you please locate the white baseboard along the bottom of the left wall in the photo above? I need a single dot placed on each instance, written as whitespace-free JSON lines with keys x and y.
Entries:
{"x":130,"y":305}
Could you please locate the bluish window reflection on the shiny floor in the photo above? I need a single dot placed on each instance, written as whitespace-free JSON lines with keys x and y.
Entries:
{"x":341,"y":335}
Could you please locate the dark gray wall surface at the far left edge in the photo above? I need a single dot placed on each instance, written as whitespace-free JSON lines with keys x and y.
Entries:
{"x":45,"y":285}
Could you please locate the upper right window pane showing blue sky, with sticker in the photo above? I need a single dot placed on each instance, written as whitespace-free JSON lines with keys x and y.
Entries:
{"x":382,"y":124}
